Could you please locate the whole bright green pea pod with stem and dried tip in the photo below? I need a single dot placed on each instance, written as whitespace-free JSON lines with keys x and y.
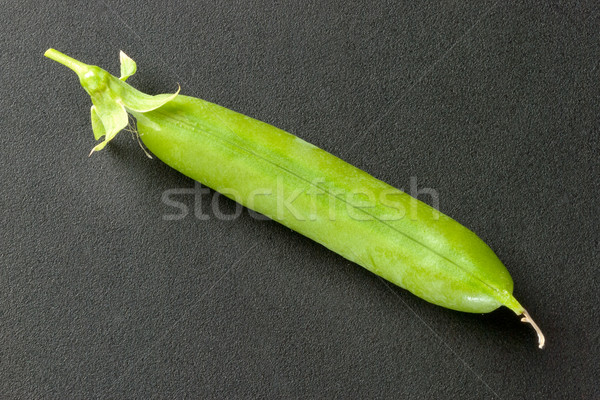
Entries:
{"x":306,"y":189}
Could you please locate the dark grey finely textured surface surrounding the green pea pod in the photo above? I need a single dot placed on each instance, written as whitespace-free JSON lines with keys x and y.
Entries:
{"x":493,"y":104}
